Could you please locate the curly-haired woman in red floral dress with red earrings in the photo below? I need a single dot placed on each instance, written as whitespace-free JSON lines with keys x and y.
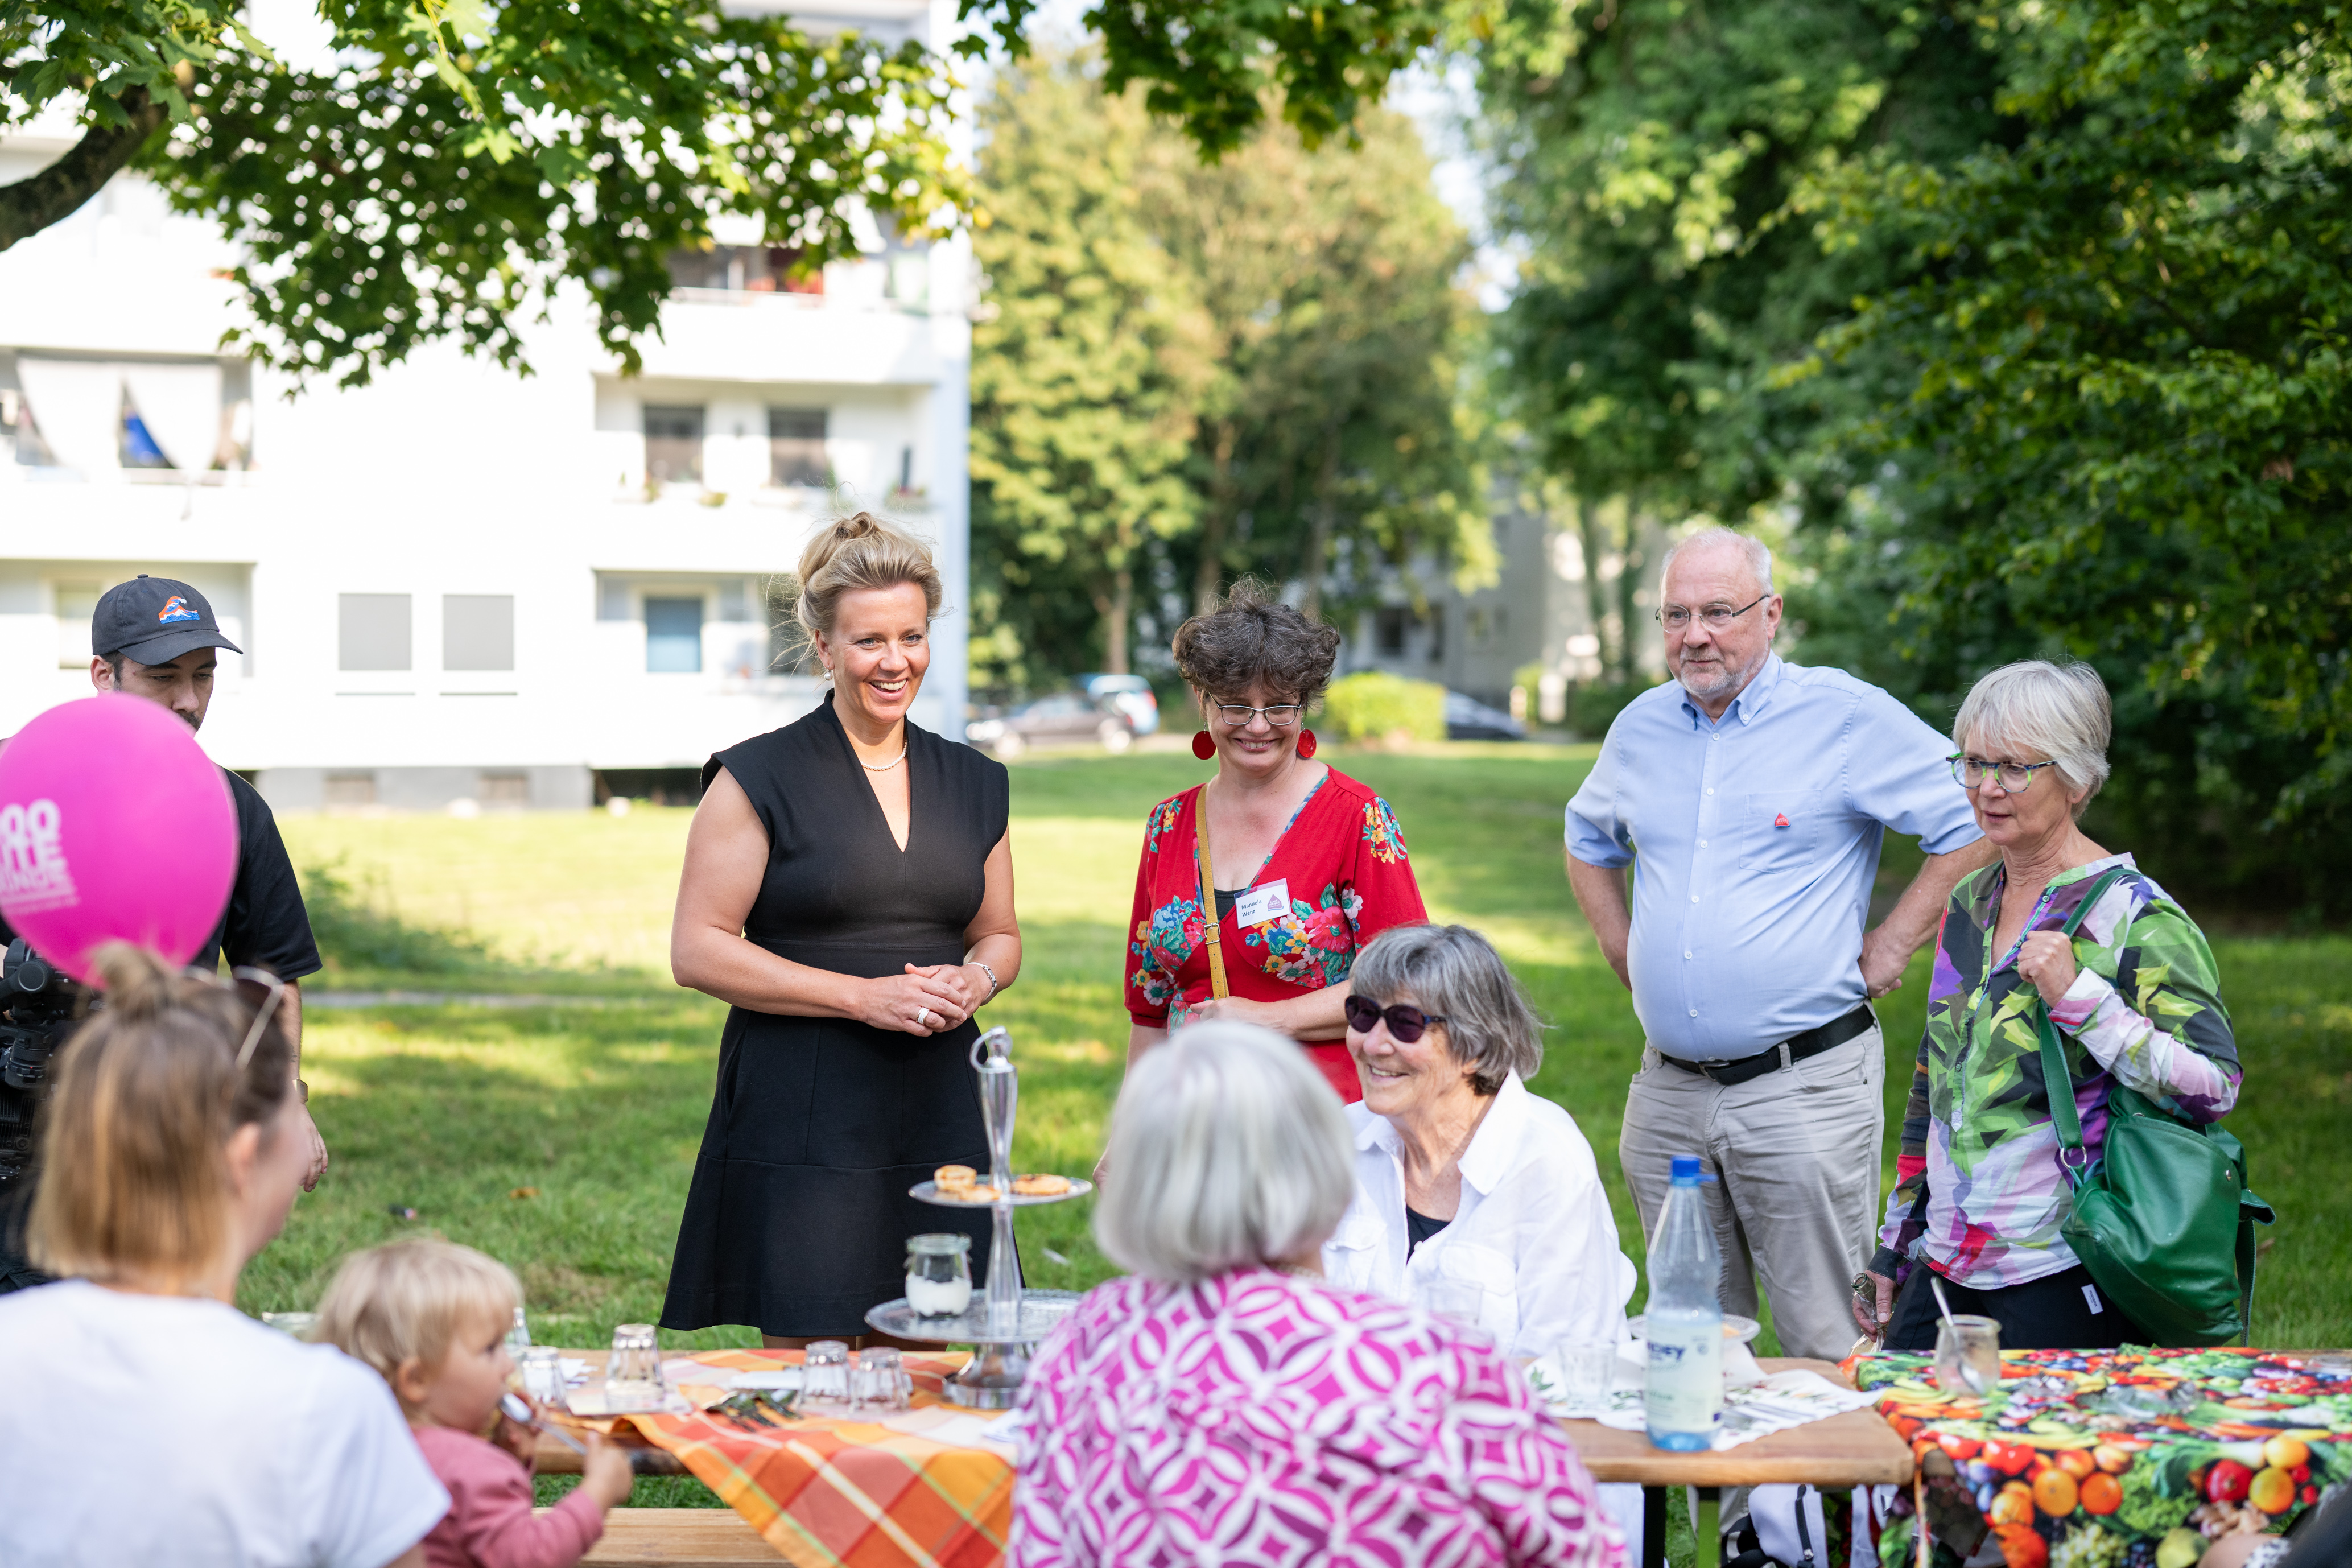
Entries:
{"x":1304,"y":864}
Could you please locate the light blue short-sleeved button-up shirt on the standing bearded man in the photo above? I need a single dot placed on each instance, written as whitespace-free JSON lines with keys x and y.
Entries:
{"x":1758,"y":840}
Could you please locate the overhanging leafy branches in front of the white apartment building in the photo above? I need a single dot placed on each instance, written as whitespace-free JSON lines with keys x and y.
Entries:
{"x":465,"y":163}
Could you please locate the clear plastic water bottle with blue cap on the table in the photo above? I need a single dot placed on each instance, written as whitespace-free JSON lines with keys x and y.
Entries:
{"x":1685,"y":1320}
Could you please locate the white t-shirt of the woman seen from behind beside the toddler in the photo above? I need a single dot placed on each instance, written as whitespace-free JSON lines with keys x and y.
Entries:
{"x":175,"y":1430}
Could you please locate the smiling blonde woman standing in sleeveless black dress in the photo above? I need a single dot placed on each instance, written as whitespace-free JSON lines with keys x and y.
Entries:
{"x":850,"y":890}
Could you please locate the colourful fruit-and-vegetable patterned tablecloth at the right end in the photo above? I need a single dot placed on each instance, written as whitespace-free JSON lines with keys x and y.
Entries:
{"x":2125,"y":1459}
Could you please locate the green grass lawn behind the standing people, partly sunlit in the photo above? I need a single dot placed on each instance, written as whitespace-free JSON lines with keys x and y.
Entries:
{"x":561,"y":1137}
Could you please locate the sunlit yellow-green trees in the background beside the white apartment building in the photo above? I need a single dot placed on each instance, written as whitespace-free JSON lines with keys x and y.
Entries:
{"x":1285,"y":316}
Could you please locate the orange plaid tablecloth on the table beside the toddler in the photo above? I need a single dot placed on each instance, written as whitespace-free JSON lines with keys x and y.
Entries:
{"x":853,"y":1492}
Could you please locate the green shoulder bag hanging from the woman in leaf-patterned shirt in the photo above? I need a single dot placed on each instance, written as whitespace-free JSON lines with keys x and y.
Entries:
{"x":2163,"y":1217}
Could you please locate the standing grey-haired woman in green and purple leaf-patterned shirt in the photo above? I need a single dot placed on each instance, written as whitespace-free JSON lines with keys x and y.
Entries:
{"x":2134,"y":998}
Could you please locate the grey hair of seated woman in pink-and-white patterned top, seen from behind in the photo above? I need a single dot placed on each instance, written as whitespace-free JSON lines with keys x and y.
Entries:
{"x":1227,"y":1151}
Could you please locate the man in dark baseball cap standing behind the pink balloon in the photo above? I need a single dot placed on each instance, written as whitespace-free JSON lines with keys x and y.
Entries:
{"x":159,"y":641}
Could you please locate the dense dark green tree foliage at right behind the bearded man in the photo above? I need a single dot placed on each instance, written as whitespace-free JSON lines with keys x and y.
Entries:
{"x":2029,"y":316}
